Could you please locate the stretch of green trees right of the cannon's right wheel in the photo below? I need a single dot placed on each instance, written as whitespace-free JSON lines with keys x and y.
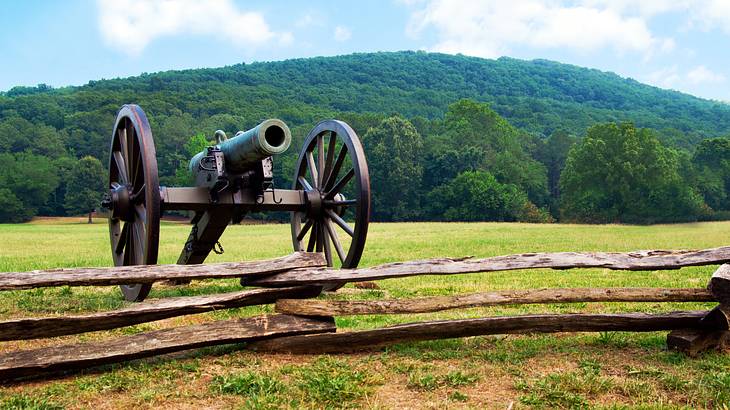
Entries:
{"x":474,"y":166}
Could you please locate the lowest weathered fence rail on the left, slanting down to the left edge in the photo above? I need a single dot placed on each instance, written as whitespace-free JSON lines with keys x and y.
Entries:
{"x":47,"y":360}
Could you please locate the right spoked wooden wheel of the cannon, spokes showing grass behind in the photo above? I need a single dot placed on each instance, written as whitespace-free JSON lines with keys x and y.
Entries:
{"x":334,"y":175}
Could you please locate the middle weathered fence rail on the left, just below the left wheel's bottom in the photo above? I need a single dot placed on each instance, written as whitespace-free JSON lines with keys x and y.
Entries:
{"x":33,"y":328}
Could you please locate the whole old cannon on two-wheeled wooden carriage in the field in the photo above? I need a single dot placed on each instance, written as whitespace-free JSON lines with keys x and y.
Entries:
{"x":329,"y":200}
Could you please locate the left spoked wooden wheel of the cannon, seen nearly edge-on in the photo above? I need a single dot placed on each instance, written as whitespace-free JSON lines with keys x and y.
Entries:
{"x":134,"y":197}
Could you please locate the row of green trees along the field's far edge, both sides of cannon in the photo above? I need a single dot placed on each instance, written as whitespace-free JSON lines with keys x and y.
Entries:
{"x":472,"y":165}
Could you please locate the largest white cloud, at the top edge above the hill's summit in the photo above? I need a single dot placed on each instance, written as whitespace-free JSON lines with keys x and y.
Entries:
{"x":489,"y":28}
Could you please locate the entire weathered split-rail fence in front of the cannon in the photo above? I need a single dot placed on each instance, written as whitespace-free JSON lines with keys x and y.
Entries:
{"x":306,"y":325}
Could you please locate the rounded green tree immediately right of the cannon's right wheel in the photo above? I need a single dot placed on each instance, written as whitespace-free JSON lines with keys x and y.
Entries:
{"x":394,"y":151}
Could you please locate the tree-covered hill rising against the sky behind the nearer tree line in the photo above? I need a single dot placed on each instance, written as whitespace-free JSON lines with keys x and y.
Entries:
{"x":538,"y":96}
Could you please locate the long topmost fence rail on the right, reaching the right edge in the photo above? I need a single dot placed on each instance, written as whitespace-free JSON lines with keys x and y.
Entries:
{"x":639,"y":260}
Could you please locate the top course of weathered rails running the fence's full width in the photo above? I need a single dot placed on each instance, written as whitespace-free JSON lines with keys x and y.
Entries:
{"x":302,"y":268}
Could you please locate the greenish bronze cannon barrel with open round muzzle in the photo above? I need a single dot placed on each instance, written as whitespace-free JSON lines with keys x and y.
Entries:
{"x":247,"y":148}
